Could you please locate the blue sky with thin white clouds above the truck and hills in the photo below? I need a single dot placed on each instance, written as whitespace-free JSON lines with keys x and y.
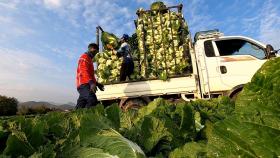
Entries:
{"x":41,"y":40}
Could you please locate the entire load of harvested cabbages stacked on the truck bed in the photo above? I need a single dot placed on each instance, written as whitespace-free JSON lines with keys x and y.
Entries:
{"x":160,"y":47}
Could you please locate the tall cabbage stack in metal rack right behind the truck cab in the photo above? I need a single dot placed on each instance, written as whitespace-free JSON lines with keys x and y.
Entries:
{"x":163,"y":39}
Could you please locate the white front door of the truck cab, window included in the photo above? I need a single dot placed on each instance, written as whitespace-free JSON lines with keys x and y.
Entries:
{"x":239,"y":60}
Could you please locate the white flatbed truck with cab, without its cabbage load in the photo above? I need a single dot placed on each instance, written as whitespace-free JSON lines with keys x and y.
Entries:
{"x":221,"y":66}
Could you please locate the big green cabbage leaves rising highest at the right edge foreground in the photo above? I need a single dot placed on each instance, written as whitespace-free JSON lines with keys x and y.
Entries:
{"x":253,"y":129}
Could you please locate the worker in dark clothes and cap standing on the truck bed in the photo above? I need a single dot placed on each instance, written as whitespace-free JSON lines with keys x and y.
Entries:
{"x":127,"y":67}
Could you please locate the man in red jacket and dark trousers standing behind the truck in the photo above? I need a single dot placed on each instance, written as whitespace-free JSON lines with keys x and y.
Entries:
{"x":85,"y":79}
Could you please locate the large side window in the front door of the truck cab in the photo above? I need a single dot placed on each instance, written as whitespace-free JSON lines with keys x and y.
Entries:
{"x":239,"y":47}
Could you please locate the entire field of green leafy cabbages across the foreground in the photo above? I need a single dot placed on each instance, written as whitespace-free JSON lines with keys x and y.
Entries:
{"x":219,"y":127}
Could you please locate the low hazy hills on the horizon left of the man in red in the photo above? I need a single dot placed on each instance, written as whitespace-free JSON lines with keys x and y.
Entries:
{"x":32,"y":104}
